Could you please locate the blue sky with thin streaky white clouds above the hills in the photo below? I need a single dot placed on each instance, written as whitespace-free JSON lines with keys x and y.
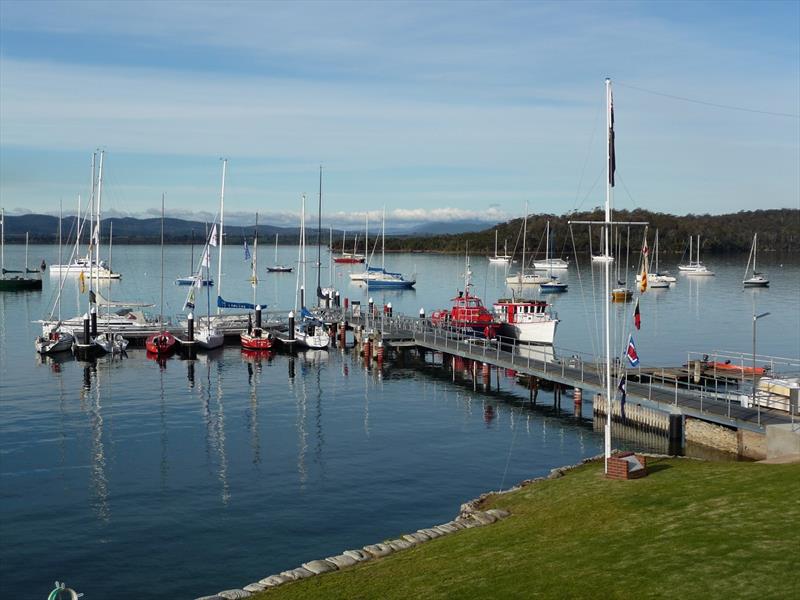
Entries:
{"x":438,"y":111}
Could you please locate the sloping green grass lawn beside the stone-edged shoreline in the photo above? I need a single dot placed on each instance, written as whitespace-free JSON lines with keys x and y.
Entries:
{"x":690,"y":529}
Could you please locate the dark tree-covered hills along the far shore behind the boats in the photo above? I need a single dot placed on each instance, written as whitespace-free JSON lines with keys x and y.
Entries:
{"x":778,"y":229}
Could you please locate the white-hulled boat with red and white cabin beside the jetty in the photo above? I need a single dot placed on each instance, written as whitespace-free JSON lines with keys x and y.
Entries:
{"x":526,"y":320}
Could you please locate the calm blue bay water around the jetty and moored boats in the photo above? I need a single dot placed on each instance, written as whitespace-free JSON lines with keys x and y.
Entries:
{"x":127,"y":480}
